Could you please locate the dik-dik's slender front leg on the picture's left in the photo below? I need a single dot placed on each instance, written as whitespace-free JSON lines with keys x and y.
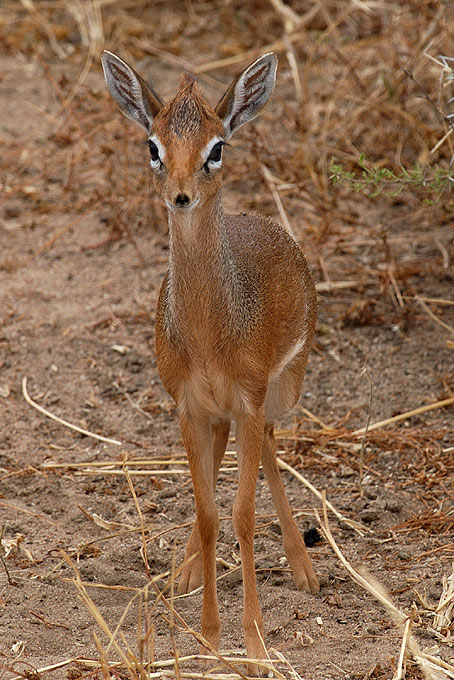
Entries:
{"x":197,"y":438}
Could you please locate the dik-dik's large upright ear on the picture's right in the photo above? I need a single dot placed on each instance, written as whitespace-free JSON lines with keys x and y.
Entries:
{"x":248,"y":94}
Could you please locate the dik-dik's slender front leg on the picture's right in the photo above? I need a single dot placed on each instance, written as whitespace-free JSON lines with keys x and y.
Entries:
{"x":249,"y":440}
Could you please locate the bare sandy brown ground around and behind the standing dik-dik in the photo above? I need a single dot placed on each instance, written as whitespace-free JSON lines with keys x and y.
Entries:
{"x":77,"y":319}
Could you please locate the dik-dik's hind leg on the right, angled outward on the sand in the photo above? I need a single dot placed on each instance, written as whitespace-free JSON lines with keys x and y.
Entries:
{"x":303,"y":573}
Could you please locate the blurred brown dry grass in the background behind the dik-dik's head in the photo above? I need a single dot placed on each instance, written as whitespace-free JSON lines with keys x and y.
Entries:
{"x":342,"y":92}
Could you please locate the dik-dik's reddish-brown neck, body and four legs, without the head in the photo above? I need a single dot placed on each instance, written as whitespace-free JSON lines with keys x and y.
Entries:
{"x":238,"y":295}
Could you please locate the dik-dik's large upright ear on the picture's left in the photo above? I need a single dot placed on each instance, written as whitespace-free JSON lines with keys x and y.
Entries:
{"x":129,"y":91}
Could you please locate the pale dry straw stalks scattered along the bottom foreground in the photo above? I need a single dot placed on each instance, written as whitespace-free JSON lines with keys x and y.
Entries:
{"x":119,"y":657}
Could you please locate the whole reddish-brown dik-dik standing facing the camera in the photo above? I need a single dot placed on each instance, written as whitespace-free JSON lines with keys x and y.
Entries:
{"x":234,"y":324}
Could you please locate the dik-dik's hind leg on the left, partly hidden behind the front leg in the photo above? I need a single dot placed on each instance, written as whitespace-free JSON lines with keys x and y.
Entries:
{"x":191,"y":575}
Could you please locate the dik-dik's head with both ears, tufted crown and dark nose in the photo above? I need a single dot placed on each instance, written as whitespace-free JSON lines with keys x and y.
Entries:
{"x":186,"y":135}
